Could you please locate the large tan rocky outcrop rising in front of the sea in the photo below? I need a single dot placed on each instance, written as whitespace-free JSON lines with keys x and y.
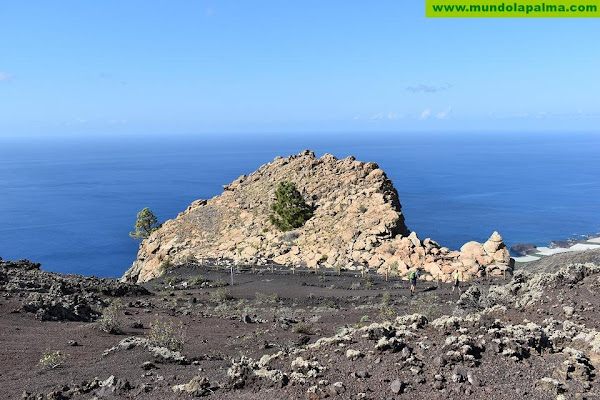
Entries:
{"x":357,"y":222}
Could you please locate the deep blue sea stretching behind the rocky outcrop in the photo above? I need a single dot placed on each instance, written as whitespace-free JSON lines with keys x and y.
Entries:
{"x":70,"y":203}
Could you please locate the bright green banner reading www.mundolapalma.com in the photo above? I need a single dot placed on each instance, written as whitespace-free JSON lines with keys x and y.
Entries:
{"x":512,"y":9}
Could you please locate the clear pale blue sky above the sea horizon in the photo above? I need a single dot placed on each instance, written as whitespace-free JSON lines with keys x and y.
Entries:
{"x":152,"y":67}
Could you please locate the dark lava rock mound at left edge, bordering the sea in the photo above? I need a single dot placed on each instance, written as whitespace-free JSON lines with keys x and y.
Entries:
{"x":57,"y":297}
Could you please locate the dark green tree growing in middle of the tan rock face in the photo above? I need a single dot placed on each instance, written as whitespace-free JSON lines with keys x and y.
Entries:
{"x":291,"y":211}
